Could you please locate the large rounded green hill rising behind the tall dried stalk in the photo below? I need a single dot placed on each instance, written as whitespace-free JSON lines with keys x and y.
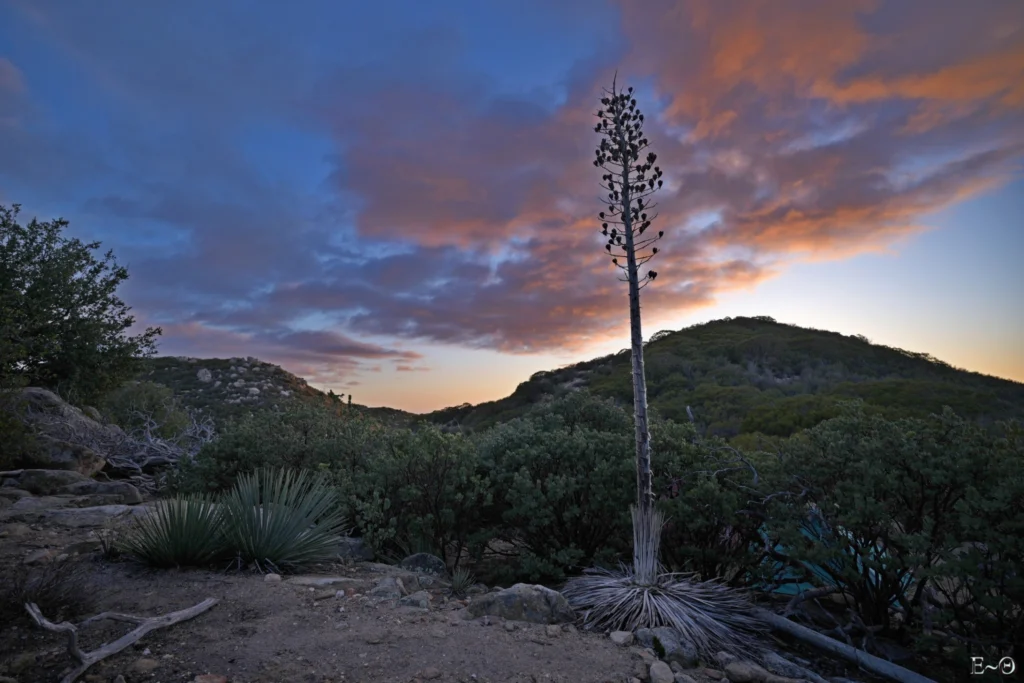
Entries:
{"x":753,"y":375}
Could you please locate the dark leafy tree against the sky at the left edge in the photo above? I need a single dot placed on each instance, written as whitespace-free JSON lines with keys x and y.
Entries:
{"x":62,"y":324}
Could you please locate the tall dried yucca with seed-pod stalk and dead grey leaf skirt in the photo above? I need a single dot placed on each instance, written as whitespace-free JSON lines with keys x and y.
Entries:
{"x":643,"y":596}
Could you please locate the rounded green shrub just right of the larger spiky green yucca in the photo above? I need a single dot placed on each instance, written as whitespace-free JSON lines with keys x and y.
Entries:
{"x":424,"y":493}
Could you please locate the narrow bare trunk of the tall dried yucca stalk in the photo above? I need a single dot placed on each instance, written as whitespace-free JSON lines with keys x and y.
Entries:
{"x":645,"y":564}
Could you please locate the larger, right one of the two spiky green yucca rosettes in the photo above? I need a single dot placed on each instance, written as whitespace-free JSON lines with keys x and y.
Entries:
{"x":282,"y":521}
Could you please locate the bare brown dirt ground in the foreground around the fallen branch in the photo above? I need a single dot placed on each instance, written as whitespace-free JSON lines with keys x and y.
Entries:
{"x":291,"y":631}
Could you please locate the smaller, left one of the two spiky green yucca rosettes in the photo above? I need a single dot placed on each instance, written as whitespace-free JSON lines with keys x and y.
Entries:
{"x":179,"y":532}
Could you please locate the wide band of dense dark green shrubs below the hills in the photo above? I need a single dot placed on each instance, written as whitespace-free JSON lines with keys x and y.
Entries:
{"x":918,"y":522}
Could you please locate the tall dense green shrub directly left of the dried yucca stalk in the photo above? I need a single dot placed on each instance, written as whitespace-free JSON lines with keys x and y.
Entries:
{"x":563,"y":483}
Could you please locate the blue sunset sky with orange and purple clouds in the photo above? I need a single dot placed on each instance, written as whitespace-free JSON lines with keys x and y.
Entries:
{"x":398,"y":201}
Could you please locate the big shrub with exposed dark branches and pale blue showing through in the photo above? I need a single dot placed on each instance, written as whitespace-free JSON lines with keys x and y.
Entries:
{"x":893,"y":501}
